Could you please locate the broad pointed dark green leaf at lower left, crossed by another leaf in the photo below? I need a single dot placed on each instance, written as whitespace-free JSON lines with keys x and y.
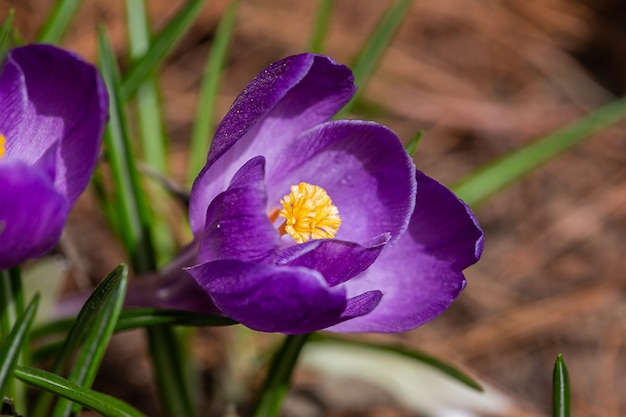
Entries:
{"x":96,"y":322}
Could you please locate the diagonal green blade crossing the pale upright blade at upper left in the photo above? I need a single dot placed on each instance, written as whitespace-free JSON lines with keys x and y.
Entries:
{"x":160,"y":46}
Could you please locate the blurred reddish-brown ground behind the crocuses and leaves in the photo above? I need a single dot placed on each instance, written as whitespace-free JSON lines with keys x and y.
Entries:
{"x":482,"y":78}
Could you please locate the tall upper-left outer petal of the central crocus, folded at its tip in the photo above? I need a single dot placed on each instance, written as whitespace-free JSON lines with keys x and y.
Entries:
{"x":286,"y":99}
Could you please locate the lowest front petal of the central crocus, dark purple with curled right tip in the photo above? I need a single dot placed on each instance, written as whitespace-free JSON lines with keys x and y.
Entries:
{"x":278,"y":298}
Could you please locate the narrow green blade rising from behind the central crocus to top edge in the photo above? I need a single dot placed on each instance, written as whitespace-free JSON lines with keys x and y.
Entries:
{"x":203,"y":128}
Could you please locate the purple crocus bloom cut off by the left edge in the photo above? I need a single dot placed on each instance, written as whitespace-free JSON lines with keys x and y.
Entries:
{"x":53,"y":108}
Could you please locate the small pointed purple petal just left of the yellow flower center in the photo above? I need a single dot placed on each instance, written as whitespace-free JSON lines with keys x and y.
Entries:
{"x":237,"y":225}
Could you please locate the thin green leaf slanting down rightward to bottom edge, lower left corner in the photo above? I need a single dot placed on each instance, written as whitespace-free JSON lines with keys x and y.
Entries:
{"x":103,"y":404}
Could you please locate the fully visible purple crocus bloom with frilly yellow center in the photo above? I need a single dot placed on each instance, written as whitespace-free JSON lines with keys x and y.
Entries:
{"x":302,"y":224}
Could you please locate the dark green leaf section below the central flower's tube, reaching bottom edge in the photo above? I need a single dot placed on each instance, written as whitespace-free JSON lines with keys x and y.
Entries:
{"x":169,"y":365}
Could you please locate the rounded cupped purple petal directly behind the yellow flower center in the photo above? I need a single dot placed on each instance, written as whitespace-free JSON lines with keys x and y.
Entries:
{"x":363,"y":167}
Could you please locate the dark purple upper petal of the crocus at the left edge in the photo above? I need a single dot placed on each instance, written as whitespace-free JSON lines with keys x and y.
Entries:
{"x":67,"y":107}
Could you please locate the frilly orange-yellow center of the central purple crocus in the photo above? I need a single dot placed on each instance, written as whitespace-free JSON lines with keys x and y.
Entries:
{"x":309,"y":213}
